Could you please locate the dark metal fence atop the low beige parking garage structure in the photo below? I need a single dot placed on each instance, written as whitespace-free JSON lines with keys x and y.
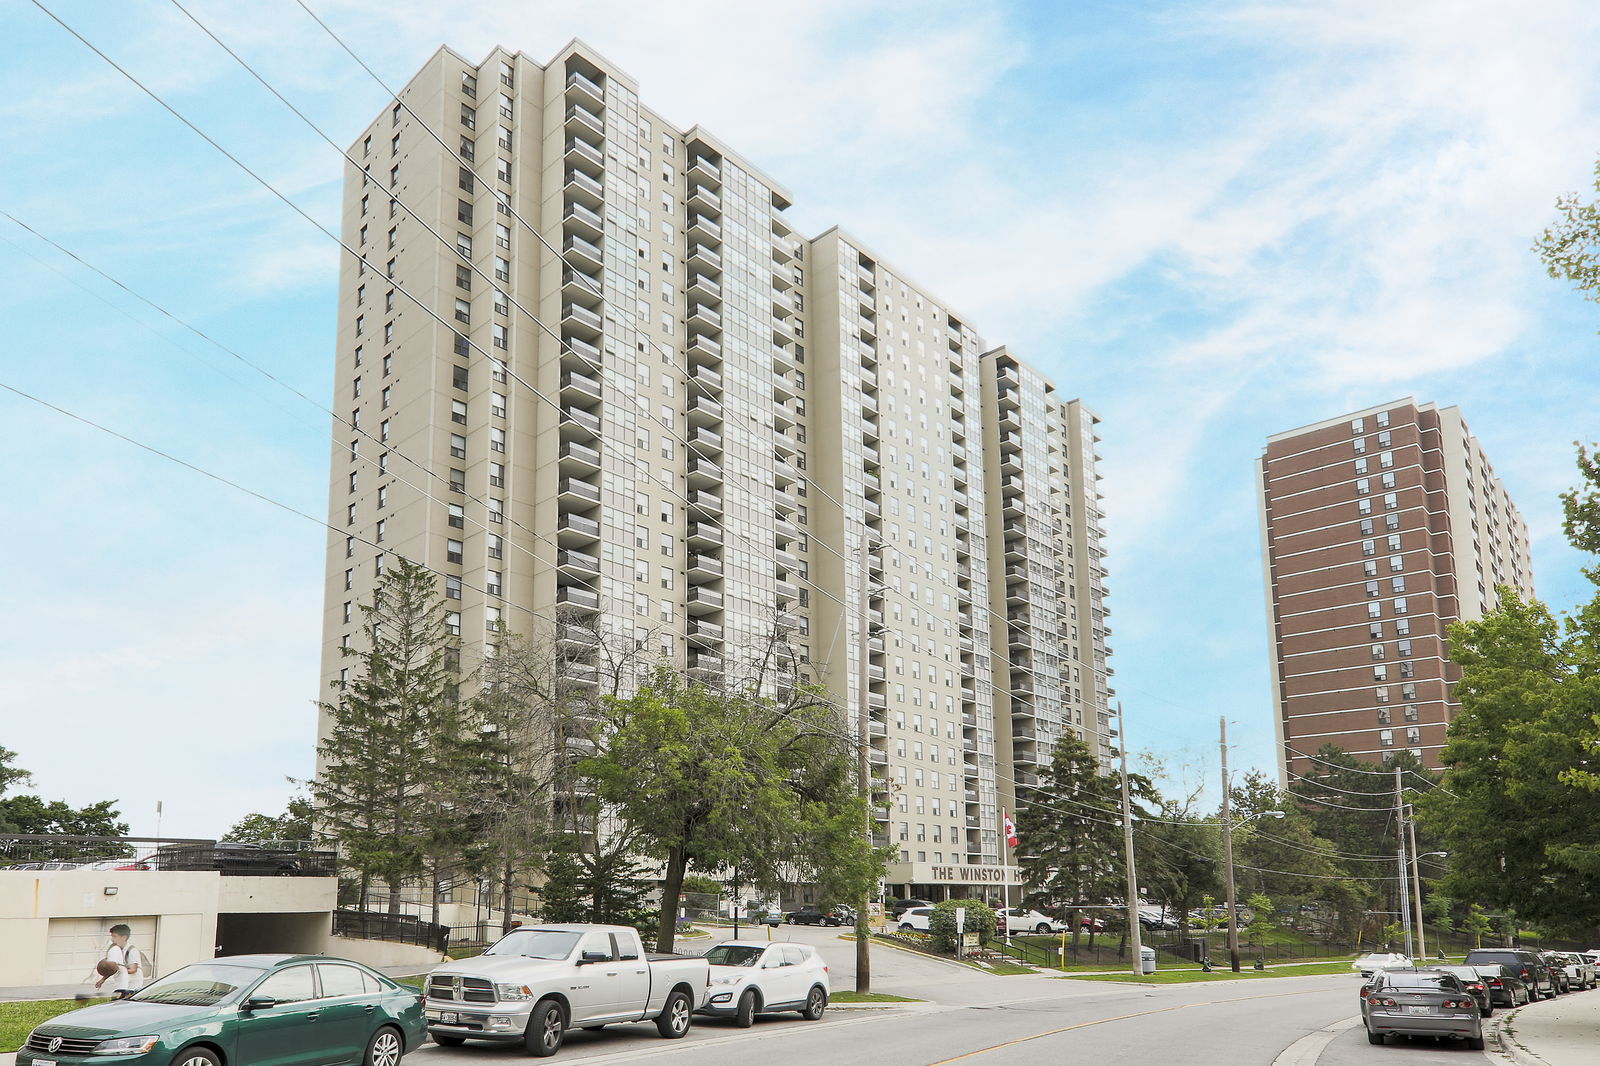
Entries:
{"x":58,"y":852}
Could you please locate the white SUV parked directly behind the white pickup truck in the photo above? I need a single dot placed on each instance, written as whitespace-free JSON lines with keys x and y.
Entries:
{"x":751,"y":979}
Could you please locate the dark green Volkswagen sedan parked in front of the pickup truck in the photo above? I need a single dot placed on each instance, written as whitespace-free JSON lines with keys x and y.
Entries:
{"x":242,"y":1011}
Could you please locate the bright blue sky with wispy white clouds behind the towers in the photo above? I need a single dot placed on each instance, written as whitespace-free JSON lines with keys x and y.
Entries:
{"x":1212,"y":222}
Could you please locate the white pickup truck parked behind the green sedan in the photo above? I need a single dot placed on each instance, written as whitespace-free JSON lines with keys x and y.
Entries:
{"x":540,"y":982}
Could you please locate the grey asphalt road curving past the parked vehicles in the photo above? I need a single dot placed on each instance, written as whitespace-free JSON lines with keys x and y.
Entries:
{"x":1014,"y":1022}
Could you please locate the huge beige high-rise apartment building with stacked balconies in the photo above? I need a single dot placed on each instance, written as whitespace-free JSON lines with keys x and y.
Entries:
{"x":714,"y":428}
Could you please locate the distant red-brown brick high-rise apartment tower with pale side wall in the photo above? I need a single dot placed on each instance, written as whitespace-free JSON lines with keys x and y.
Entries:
{"x":1382,"y":529}
